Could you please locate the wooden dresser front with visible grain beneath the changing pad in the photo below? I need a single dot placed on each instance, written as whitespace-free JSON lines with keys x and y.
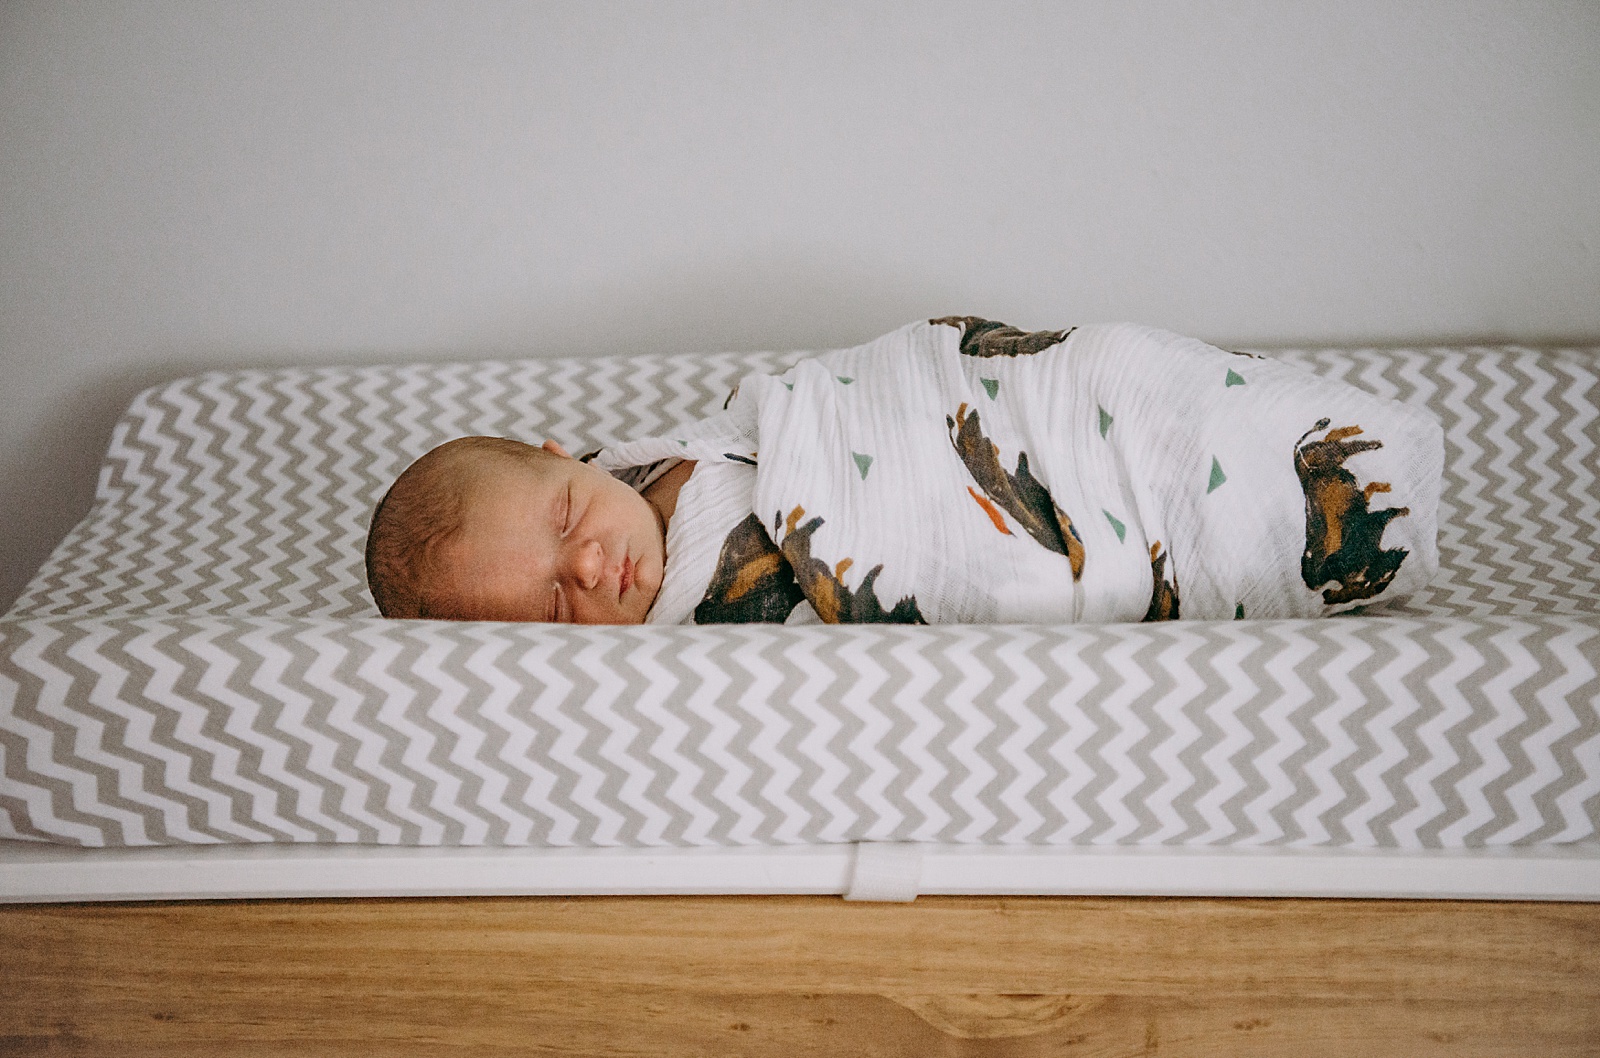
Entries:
{"x":775,"y":976}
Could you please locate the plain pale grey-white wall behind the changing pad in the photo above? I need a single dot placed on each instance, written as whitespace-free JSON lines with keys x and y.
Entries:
{"x":210,"y":185}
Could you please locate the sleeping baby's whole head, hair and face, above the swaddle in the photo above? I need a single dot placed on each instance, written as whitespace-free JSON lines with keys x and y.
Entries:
{"x":486,"y":529}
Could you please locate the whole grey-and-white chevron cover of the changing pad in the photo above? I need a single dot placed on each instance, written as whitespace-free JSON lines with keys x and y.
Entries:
{"x":199,"y":662}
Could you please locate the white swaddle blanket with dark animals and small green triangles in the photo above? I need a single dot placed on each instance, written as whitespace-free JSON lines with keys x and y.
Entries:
{"x":964,"y":471}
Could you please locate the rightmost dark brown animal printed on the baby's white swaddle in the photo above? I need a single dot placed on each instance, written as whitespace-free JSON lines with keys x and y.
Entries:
{"x":1343,"y":537}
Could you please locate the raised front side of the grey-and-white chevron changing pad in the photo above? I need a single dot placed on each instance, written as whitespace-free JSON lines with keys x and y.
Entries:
{"x":1351,"y":732}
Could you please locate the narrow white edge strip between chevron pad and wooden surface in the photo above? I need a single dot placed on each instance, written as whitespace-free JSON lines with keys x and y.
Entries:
{"x":36,"y":873}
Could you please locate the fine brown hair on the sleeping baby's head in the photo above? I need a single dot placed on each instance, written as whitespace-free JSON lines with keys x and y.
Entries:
{"x":422,"y":511}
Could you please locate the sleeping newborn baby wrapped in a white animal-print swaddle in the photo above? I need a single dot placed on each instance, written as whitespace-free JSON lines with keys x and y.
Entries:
{"x":954,"y":471}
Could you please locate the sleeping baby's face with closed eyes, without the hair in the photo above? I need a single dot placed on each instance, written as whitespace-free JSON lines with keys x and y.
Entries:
{"x":551,"y":540}
